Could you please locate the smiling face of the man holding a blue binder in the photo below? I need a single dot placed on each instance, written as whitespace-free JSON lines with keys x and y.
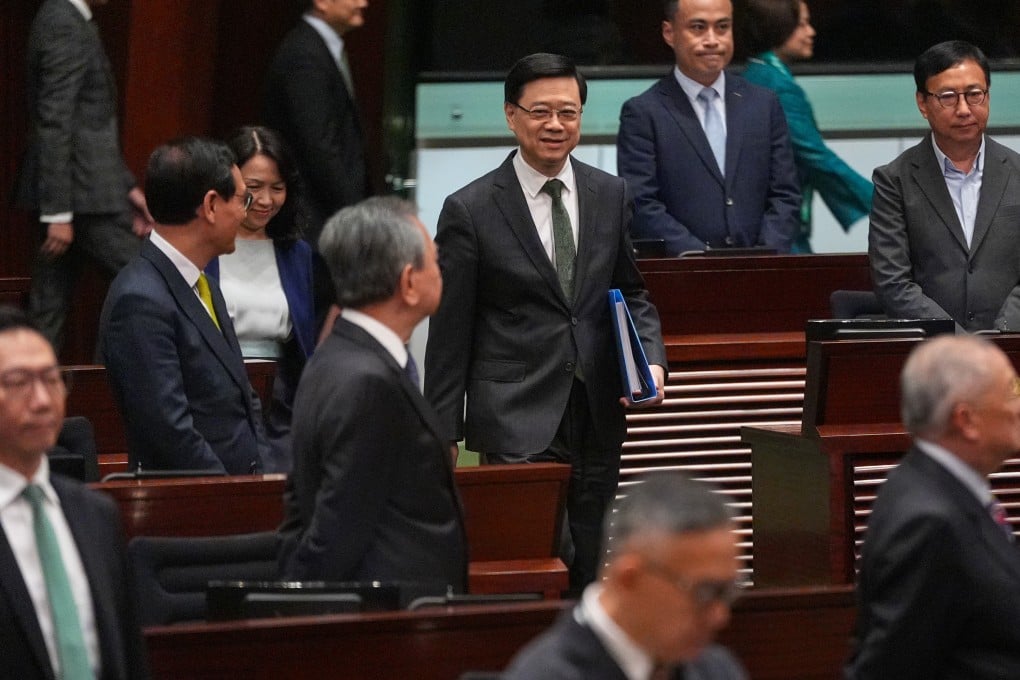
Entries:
{"x":545,"y":145}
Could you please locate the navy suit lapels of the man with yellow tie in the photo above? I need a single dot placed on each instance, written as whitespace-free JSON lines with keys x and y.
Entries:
{"x":223,"y":342}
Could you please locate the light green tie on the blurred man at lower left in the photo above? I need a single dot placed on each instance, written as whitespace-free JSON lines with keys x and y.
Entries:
{"x":67,"y":625}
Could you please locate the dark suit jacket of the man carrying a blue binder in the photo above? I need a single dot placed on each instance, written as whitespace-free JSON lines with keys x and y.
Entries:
{"x":507,"y":337}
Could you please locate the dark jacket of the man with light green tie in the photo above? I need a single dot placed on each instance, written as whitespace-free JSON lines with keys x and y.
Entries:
{"x":95,"y":525}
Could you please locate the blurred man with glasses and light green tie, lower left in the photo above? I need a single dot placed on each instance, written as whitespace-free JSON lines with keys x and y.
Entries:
{"x":65,"y":608}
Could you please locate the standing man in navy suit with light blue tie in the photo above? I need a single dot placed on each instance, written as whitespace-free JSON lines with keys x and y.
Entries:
{"x":716,"y":174}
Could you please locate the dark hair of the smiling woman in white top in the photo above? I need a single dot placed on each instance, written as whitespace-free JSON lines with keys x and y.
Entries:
{"x":288,"y":225}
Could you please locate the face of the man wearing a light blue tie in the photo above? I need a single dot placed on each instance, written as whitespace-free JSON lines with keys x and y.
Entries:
{"x":701,"y":34}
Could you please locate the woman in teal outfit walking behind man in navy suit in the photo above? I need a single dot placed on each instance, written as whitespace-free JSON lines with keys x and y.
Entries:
{"x":778,"y":33}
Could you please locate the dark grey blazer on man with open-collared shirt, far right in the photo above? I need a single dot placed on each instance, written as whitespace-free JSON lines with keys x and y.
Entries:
{"x":921,"y":264}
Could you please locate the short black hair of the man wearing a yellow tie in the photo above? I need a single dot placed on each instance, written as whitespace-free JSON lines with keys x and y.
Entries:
{"x":182,"y":172}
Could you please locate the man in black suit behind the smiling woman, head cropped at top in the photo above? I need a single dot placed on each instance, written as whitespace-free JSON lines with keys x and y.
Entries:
{"x":310,"y":99}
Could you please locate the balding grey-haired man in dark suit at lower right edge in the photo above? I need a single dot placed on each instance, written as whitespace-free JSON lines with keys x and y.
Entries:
{"x":939,"y":590}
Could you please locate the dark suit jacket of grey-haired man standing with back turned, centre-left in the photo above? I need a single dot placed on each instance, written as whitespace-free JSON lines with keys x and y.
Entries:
{"x":372,"y":496}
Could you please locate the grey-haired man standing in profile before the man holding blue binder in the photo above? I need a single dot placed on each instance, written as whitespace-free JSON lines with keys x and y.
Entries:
{"x":372,"y":496}
